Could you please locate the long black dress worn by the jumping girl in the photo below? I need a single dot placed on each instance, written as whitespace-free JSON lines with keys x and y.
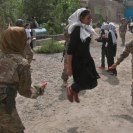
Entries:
{"x":83,"y":67}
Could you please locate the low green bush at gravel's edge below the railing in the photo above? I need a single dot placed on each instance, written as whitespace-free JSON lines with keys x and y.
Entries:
{"x":50,"y":47}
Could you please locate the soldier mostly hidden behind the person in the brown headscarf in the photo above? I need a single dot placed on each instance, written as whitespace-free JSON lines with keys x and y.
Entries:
{"x":28,"y":51}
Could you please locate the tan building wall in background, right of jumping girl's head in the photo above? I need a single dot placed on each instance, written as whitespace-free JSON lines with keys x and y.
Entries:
{"x":104,"y":10}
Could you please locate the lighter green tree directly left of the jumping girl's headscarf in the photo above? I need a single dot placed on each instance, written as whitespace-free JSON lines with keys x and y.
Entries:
{"x":62,"y":9}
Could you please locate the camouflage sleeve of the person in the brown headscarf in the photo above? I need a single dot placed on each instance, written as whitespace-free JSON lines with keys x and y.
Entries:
{"x":24,"y":85}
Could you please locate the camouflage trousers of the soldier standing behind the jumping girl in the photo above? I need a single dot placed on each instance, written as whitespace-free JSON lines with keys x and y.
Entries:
{"x":64,"y":75}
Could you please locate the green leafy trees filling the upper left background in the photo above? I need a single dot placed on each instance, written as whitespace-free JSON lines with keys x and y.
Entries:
{"x":53,"y":14}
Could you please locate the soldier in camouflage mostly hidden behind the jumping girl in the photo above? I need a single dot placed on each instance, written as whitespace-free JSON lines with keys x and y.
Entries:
{"x":64,"y":75}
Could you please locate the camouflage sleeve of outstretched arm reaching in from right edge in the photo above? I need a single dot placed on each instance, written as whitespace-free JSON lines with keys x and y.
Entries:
{"x":126,"y":52}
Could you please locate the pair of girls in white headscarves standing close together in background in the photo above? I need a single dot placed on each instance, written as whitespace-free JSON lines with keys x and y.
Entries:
{"x":108,"y":38}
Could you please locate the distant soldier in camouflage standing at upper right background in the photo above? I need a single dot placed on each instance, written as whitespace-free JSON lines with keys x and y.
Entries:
{"x":123,"y":30}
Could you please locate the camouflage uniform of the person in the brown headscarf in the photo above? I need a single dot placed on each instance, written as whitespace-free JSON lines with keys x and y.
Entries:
{"x":14,"y":72}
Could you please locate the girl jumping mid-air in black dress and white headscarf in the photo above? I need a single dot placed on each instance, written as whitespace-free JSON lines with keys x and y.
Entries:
{"x":80,"y":64}
